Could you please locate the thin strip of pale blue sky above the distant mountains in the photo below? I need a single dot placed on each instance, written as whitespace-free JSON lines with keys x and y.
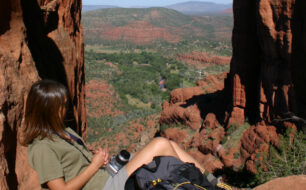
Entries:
{"x":129,"y":3}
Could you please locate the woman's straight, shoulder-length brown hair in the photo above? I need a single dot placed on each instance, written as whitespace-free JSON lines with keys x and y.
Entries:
{"x":44,"y":114}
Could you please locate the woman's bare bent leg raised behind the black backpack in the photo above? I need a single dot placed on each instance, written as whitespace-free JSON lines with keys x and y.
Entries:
{"x":159,"y":147}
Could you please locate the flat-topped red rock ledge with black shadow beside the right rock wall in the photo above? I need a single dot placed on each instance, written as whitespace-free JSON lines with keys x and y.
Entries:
{"x":189,"y":105}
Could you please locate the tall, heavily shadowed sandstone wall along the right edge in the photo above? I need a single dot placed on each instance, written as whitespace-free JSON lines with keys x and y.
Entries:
{"x":268,"y":59}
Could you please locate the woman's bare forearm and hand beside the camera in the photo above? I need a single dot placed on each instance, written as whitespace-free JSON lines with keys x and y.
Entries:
{"x":76,"y":183}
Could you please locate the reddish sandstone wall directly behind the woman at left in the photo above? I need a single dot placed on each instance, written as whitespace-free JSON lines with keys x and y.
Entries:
{"x":39,"y":39}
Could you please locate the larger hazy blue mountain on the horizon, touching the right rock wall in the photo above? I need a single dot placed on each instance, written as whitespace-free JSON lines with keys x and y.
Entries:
{"x":200,"y":8}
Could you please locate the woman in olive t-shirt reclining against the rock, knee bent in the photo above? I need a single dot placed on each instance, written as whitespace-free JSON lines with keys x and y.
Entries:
{"x":60,"y":156}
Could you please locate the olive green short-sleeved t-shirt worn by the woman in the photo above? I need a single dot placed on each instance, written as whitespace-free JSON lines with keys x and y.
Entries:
{"x":57,"y":158}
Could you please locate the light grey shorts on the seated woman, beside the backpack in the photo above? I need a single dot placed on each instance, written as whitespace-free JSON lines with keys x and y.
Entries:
{"x":117,"y":182}
